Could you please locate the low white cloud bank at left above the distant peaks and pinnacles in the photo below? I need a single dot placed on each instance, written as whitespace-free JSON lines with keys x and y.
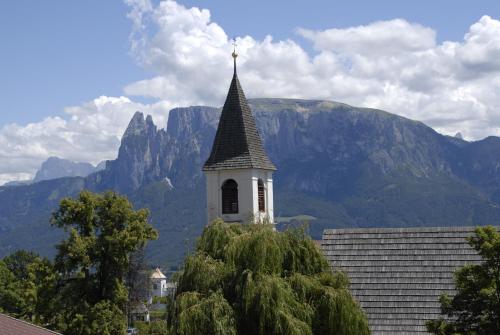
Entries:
{"x":90,"y":133}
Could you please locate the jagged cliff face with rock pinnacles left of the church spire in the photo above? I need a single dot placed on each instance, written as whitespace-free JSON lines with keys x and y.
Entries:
{"x":148,"y":154}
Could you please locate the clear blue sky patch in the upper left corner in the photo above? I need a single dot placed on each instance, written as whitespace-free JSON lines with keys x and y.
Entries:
{"x":60,"y":53}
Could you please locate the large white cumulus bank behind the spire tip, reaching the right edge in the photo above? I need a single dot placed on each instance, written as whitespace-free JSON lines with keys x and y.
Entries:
{"x":394,"y":65}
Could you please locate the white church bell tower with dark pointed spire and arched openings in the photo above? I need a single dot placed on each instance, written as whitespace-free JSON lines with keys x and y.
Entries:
{"x":239,"y":173}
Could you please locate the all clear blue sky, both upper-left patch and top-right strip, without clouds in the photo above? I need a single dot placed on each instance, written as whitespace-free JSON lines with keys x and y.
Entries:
{"x":59,"y":53}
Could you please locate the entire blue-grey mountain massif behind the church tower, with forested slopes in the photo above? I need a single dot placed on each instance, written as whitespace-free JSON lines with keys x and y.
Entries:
{"x":338,"y":166}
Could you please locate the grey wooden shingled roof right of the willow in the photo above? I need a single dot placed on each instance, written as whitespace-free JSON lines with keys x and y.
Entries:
{"x":397,"y":275}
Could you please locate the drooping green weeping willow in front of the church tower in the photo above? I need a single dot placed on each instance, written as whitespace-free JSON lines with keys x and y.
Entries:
{"x":250,"y":279}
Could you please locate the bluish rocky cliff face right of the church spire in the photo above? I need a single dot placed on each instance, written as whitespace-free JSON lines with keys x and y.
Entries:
{"x":325,"y":147}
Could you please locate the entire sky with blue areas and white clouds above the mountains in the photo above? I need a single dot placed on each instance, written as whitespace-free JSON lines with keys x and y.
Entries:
{"x":72,"y":73}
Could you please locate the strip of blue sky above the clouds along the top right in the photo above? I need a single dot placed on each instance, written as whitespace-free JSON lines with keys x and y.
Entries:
{"x":280,"y":18}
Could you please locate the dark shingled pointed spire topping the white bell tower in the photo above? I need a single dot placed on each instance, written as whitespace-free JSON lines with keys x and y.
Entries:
{"x":237,"y":143}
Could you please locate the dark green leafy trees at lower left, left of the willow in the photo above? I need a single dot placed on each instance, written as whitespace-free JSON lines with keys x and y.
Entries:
{"x":84,"y":292}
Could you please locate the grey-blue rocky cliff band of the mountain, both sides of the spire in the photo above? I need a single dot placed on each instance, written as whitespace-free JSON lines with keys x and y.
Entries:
{"x":320,"y":147}
